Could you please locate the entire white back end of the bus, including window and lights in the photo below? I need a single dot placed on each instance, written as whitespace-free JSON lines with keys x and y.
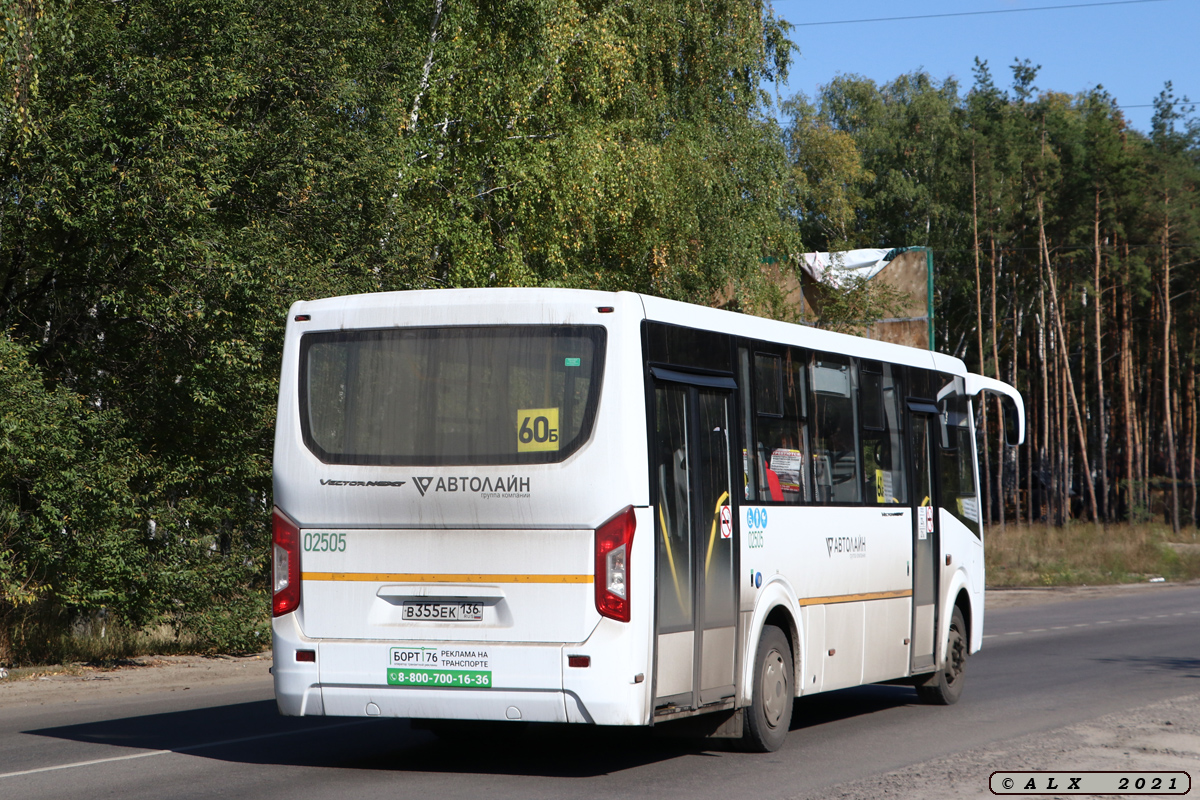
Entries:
{"x":442,"y":491}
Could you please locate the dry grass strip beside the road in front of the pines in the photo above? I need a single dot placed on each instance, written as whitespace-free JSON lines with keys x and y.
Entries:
{"x":1089,"y":555}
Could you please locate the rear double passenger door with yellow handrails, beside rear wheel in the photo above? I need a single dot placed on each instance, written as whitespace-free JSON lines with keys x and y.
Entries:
{"x":695,"y":601}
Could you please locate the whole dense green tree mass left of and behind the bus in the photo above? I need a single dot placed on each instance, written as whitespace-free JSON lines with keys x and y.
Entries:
{"x":177,"y":172}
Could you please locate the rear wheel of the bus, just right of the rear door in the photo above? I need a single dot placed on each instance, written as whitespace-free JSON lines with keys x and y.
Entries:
{"x":770,"y":715}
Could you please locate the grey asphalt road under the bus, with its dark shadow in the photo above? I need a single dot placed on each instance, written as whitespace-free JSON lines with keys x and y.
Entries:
{"x":1042,"y":667}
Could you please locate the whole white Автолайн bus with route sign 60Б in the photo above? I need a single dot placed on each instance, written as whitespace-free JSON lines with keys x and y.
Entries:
{"x":610,"y":509}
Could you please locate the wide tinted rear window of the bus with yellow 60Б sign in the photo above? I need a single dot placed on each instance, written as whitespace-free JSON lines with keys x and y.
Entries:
{"x":454,"y":396}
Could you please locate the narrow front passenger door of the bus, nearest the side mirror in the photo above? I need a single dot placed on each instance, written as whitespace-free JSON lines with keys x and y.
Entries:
{"x":926,"y":537}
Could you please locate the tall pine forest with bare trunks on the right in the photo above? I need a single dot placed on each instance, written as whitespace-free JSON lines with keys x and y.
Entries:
{"x":1087,"y":234}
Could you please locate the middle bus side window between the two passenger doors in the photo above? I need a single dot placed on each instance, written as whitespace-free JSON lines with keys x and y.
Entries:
{"x":837,"y":467}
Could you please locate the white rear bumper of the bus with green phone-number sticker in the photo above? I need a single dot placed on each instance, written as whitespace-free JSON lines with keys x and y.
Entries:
{"x":527,"y":682}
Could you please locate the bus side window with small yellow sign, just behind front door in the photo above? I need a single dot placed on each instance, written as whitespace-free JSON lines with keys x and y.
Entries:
{"x":884,"y":462}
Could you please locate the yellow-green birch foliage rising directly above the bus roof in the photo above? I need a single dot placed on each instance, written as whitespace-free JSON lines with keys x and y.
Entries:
{"x":627,"y":151}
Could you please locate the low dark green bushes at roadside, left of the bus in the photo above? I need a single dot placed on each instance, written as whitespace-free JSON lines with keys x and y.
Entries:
{"x":86,"y":527}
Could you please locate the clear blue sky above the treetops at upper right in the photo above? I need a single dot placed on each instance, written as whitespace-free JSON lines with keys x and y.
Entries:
{"x":1131,"y":50}
